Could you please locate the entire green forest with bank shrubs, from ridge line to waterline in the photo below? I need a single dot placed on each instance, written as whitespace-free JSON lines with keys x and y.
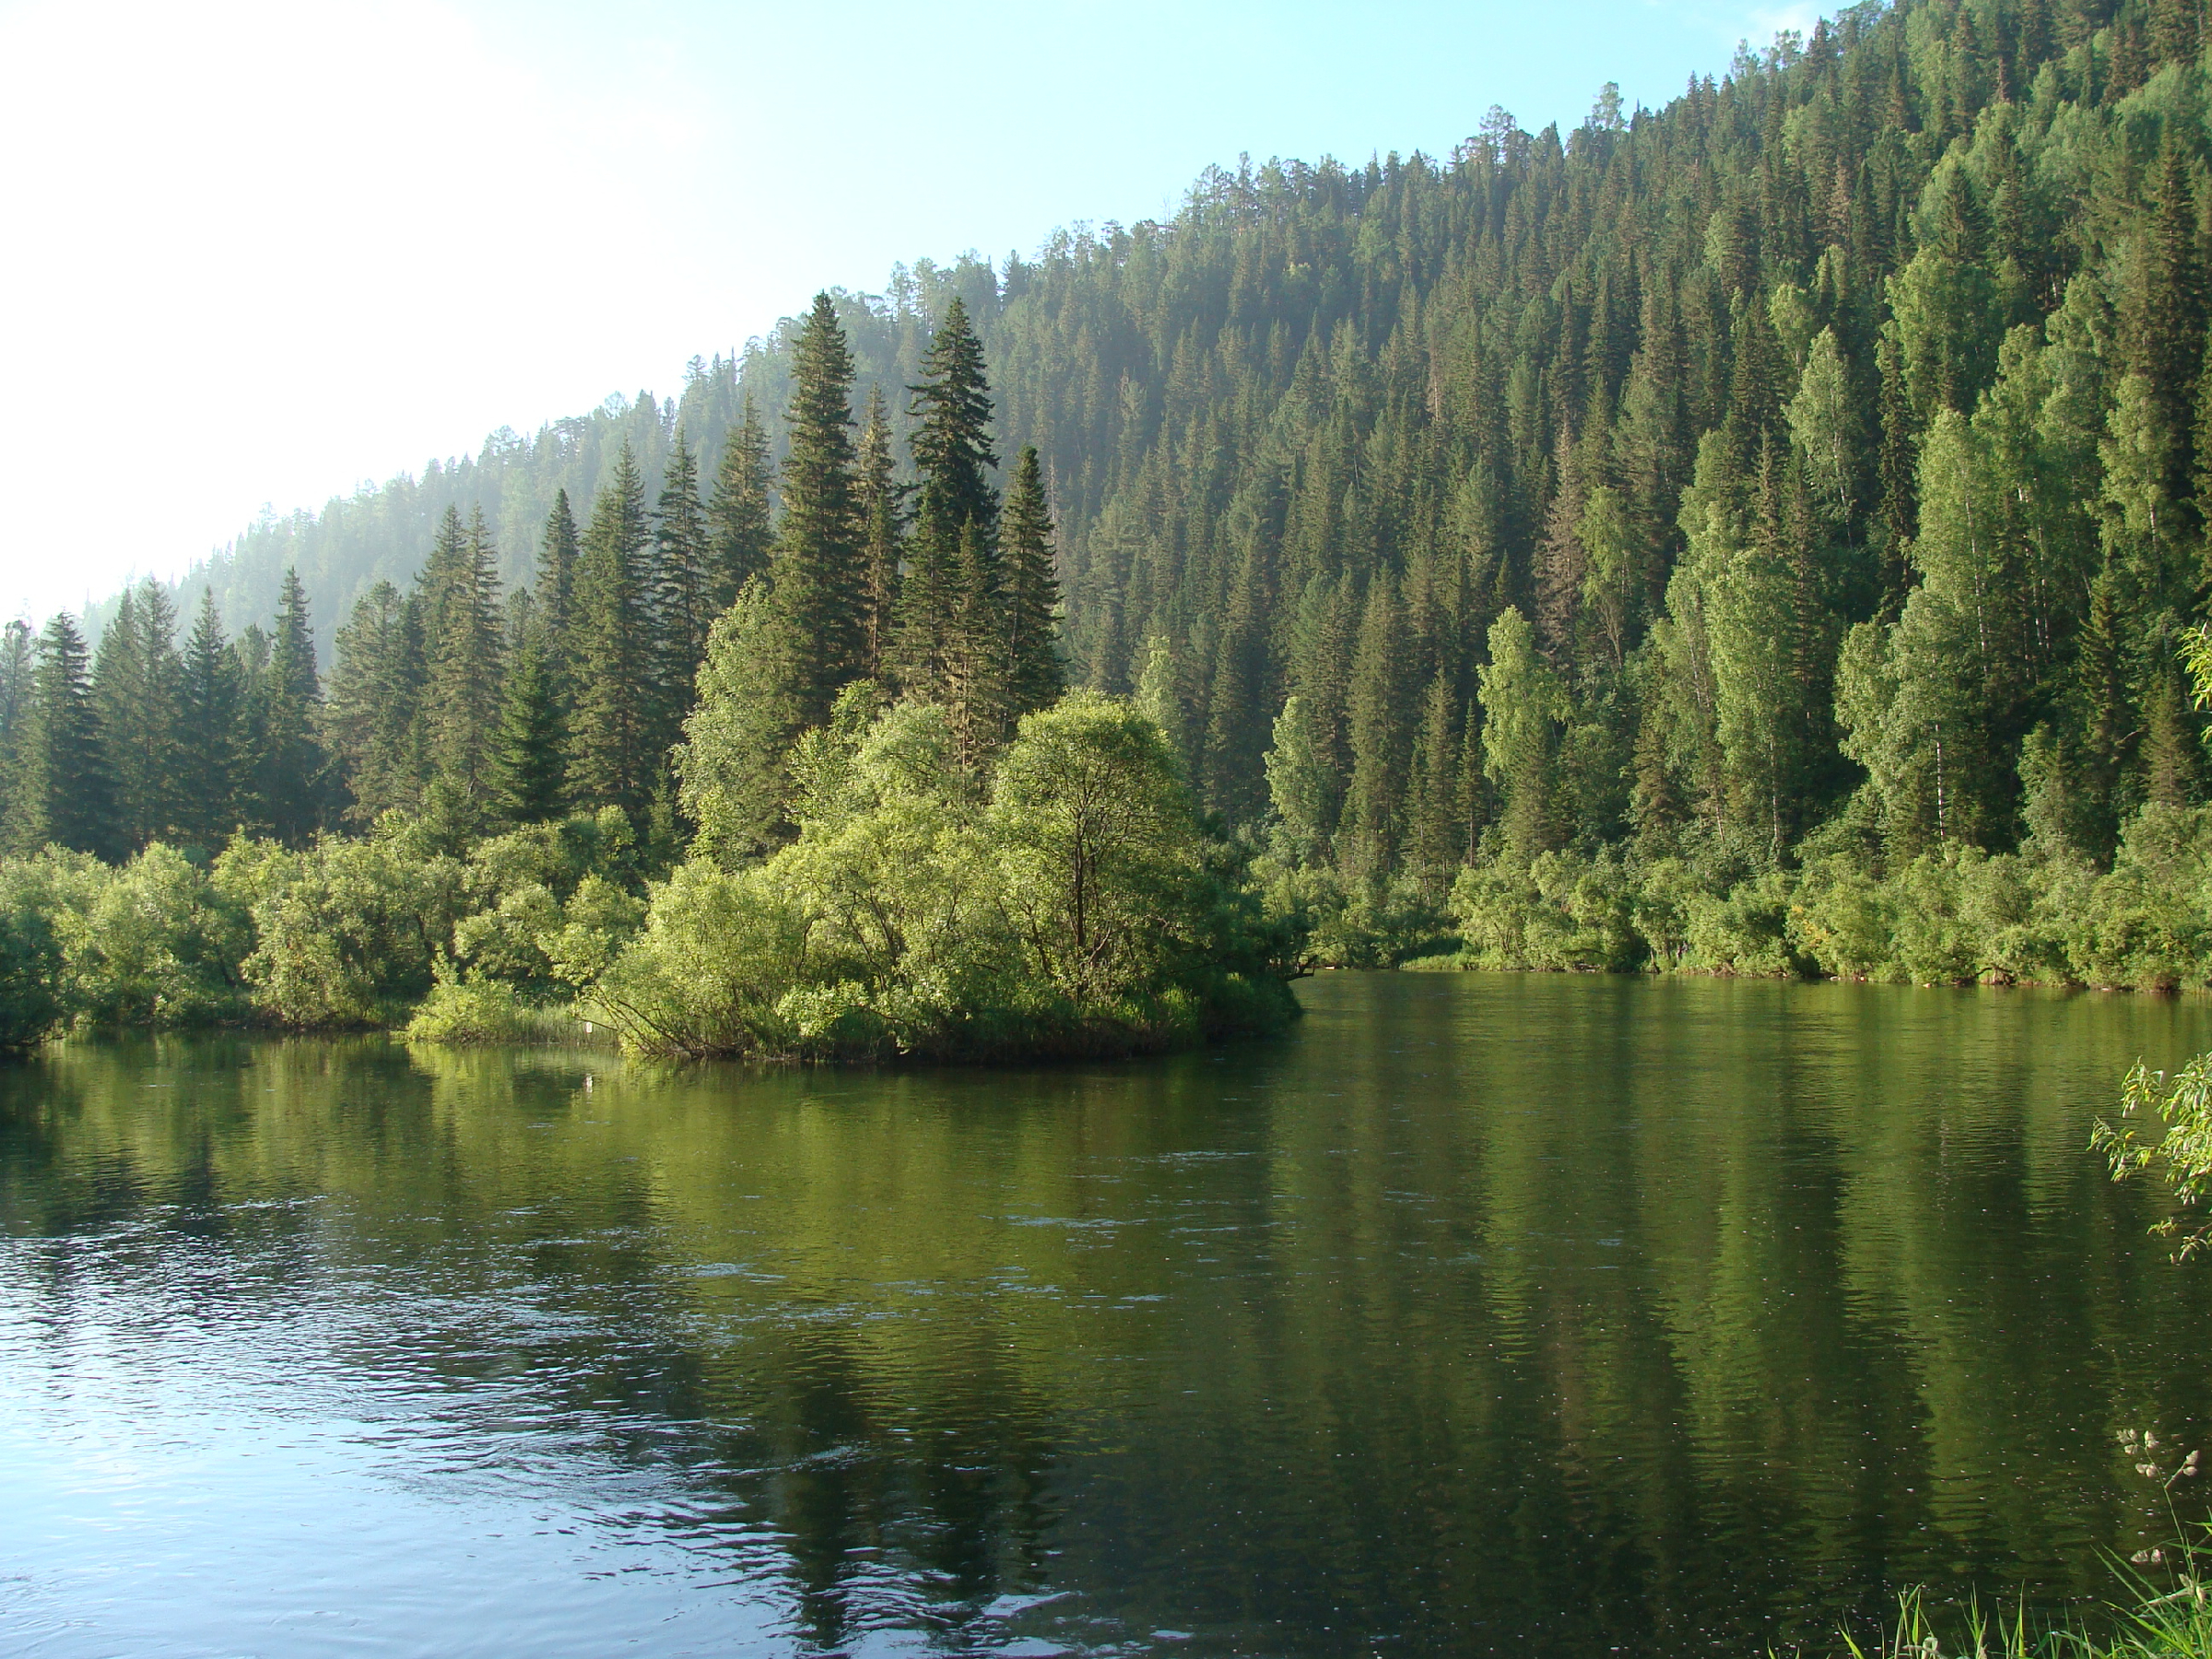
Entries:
{"x":1764,"y":534}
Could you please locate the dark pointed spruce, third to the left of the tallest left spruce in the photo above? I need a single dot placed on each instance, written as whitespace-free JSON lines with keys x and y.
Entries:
{"x":614,"y":654}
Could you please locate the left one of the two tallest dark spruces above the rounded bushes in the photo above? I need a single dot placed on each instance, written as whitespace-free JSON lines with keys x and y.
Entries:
{"x":817,"y":576}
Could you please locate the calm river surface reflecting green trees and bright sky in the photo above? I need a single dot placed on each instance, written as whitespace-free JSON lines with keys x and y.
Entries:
{"x":1481,"y":1315}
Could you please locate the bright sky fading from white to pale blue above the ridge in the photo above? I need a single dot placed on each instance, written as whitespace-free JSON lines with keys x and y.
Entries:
{"x":255,"y":253}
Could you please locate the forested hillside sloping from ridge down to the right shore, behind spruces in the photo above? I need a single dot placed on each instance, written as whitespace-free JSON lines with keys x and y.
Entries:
{"x":1802,"y":477}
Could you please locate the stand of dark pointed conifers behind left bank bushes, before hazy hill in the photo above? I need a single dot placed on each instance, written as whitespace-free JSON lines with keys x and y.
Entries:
{"x":474,"y":707}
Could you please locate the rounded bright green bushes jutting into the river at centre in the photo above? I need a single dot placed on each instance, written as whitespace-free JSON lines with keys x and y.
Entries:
{"x":1083,"y":910}
